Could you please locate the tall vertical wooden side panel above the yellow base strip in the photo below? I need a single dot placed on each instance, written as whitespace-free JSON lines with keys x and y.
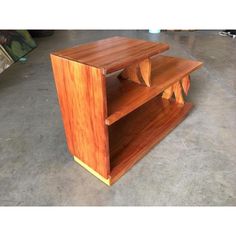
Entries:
{"x":82,"y":98}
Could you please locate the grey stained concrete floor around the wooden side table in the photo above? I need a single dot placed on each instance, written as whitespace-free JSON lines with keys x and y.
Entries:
{"x":194,"y":165}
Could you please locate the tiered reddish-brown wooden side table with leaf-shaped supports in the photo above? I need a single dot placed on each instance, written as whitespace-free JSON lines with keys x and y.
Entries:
{"x":117,"y":100}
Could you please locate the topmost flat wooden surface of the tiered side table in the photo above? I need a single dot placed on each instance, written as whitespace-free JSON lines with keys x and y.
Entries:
{"x":112,"y":54}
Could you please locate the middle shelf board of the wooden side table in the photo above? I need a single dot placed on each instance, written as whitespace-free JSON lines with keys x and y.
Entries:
{"x":124,"y":96}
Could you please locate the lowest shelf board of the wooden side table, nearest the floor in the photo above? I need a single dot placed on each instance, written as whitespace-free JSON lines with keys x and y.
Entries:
{"x":134,"y":135}
